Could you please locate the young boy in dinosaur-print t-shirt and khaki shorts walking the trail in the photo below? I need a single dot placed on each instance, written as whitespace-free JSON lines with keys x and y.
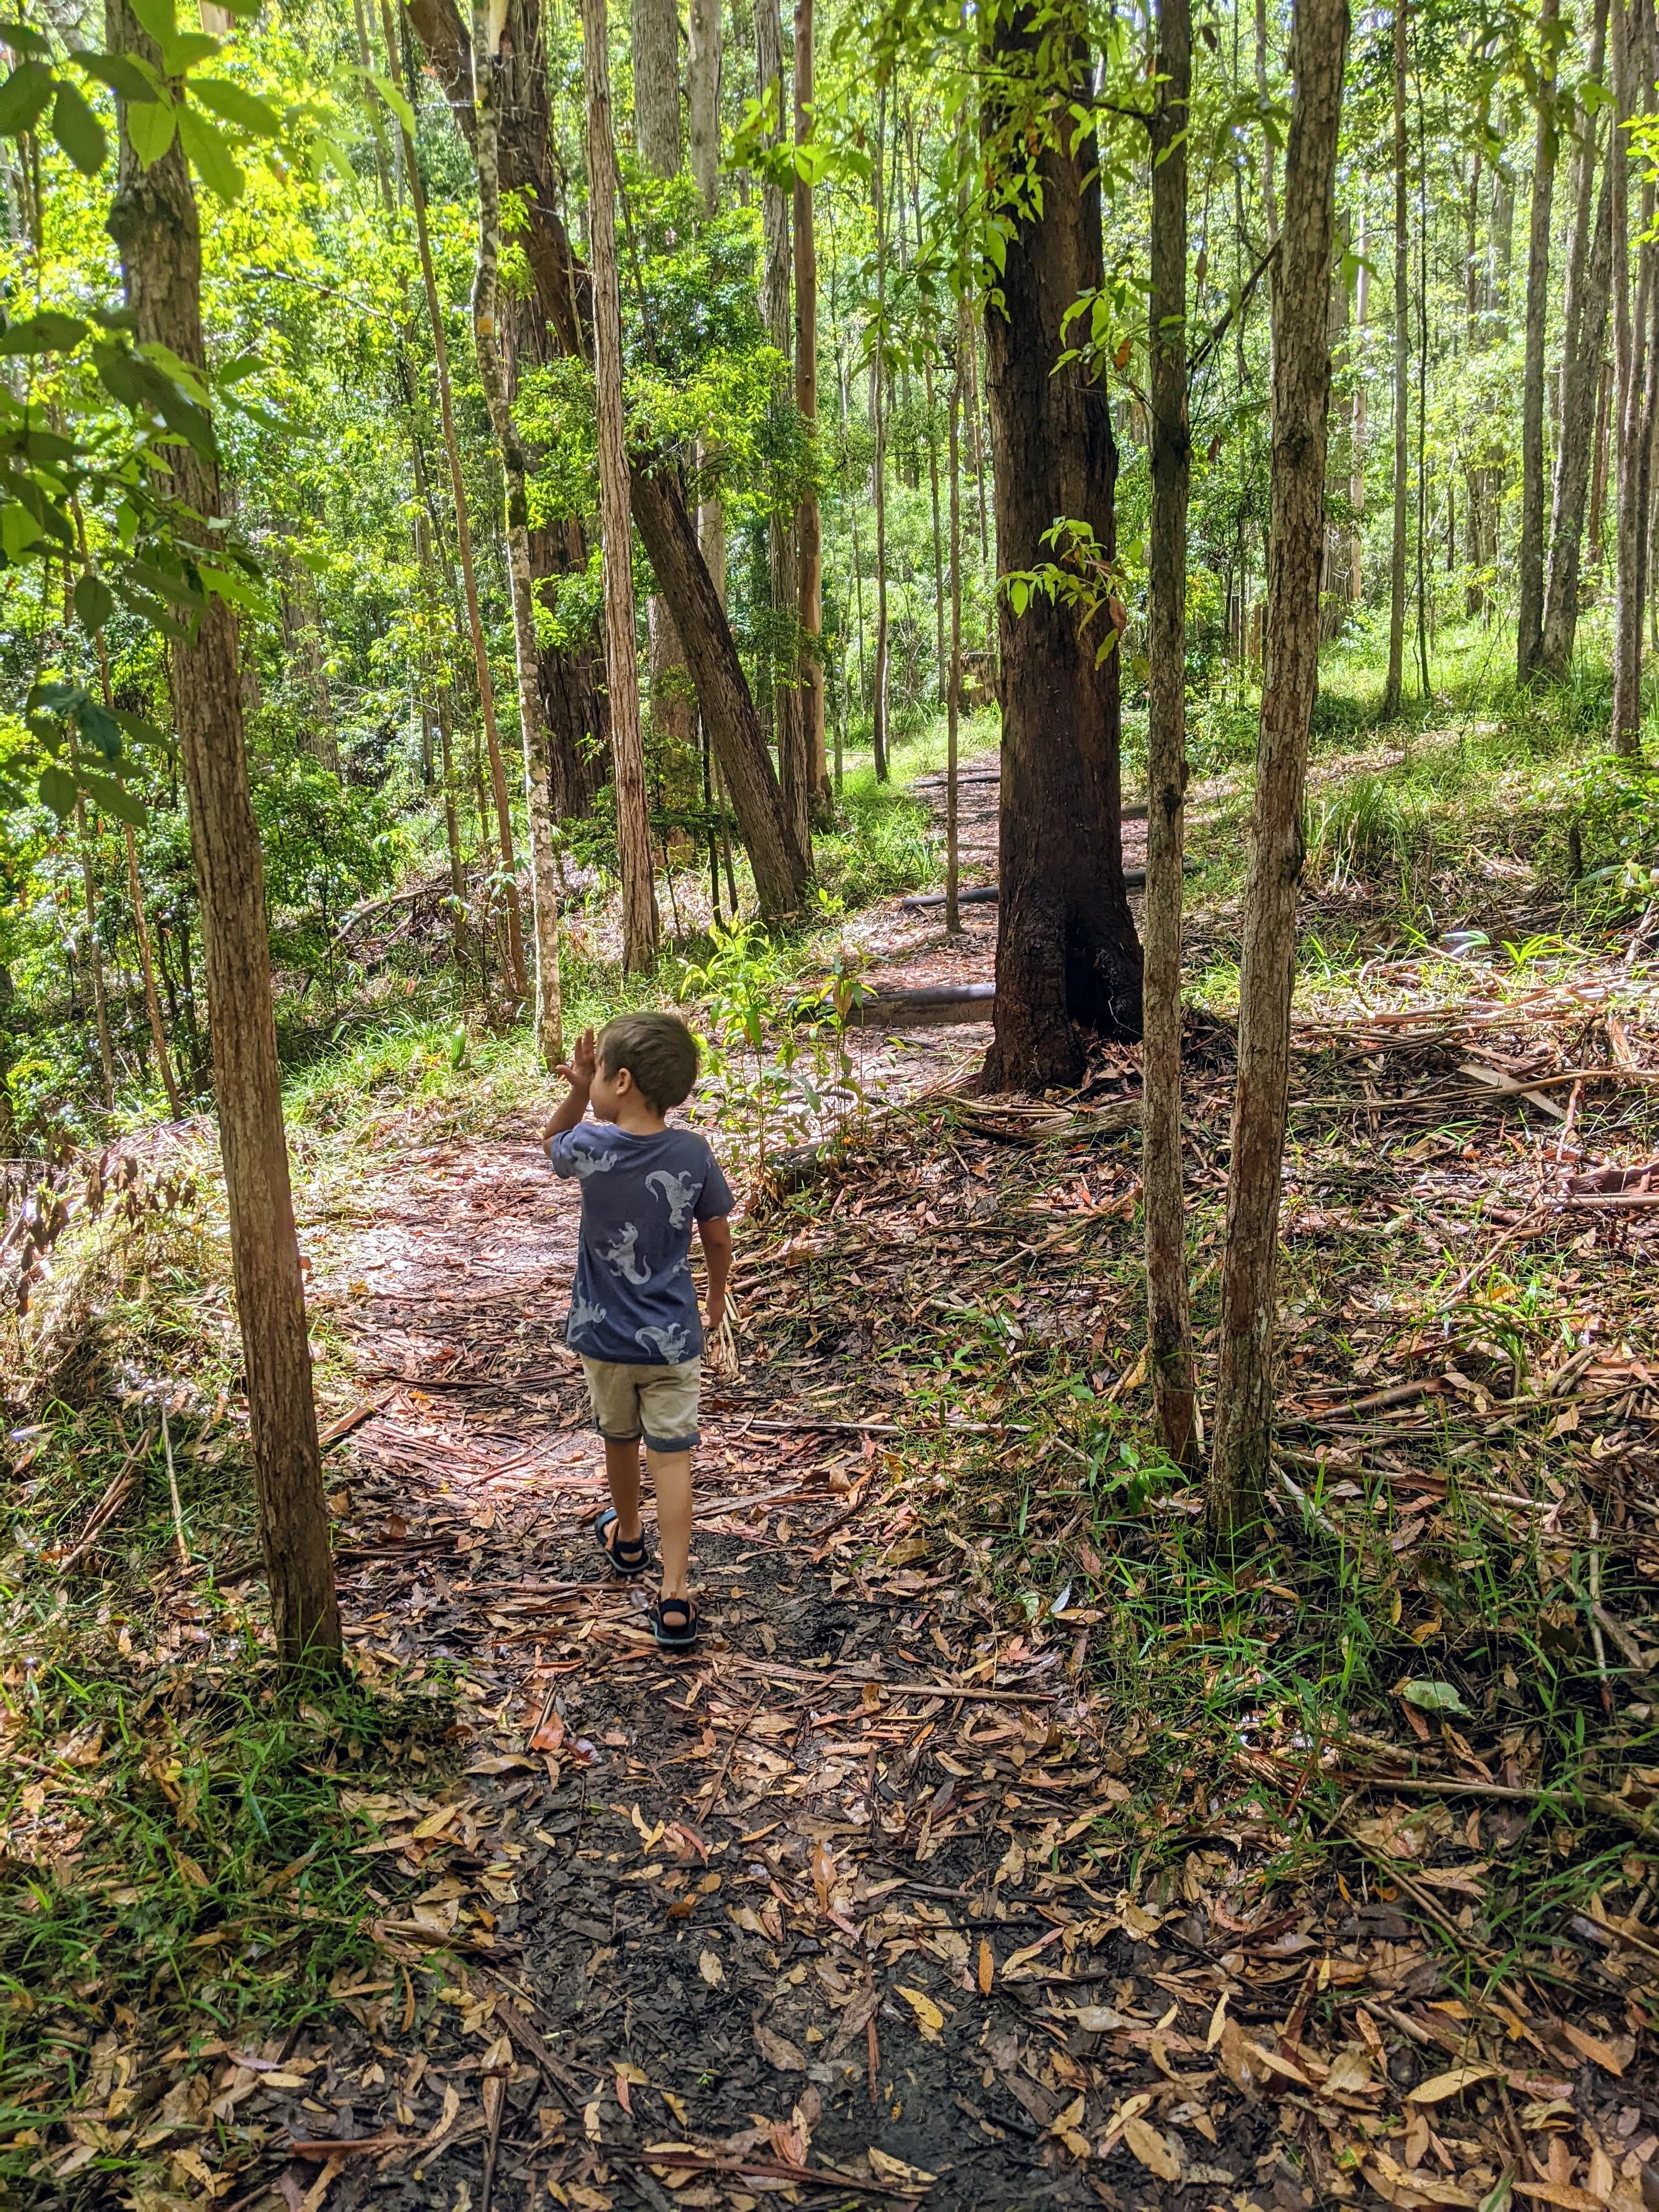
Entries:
{"x":634,"y":1308}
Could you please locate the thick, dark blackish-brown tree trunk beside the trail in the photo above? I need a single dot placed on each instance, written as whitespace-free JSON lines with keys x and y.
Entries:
{"x":1067,"y":954}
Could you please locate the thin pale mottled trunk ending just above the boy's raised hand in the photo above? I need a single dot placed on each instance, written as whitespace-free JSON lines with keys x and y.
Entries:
{"x":492,"y":371}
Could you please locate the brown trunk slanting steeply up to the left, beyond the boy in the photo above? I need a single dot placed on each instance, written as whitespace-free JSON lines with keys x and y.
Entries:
{"x":565,"y":293}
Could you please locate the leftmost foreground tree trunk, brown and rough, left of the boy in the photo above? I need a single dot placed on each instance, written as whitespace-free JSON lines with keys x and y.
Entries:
{"x":156,"y":229}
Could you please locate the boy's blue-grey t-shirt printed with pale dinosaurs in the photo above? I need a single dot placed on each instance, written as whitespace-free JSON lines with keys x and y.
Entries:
{"x":634,"y":1297}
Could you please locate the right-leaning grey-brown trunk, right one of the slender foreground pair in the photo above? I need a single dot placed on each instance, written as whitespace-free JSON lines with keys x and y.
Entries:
{"x":1300,"y":430}
